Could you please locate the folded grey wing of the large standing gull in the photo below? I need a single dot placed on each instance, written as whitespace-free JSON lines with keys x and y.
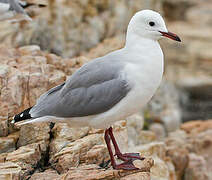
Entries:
{"x":94,"y":88}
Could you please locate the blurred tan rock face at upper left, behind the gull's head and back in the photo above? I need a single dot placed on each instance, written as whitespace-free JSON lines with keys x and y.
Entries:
{"x":92,"y":21}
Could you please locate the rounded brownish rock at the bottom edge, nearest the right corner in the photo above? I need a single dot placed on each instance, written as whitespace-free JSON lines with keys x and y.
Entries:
{"x":197,"y":168}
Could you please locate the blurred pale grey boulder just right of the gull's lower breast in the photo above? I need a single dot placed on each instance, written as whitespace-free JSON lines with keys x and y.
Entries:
{"x":165,"y":106}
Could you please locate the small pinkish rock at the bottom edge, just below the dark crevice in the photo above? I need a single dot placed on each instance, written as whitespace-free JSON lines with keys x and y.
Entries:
{"x":49,"y":174}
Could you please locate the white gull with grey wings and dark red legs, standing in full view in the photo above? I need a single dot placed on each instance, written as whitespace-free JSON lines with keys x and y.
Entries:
{"x":109,"y":88}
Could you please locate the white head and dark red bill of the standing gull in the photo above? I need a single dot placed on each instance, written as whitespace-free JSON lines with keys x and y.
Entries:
{"x":150,"y":24}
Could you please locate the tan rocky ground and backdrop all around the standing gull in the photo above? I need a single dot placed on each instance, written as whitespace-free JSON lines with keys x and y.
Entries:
{"x":90,"y":29}
